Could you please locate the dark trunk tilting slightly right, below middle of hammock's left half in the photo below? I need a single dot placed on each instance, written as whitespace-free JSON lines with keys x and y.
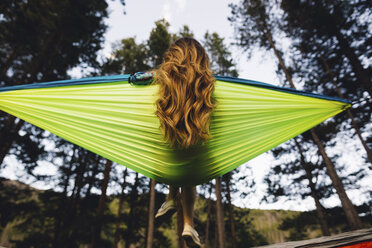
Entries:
{"x":101,"y":205}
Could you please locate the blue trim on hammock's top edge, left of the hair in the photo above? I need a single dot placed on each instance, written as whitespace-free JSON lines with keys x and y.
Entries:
{"x":91,"y":80}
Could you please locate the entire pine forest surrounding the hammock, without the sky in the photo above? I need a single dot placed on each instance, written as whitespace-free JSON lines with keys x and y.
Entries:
{"x":97,"y":203}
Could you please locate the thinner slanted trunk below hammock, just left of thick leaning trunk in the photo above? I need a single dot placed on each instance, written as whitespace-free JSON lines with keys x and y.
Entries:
{"x":319,"y":208}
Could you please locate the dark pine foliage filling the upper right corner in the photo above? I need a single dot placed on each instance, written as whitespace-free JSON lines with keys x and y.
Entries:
{"x":335,"y":21}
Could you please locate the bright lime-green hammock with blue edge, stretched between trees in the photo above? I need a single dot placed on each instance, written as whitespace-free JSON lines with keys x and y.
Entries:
{"x":116,"y":119}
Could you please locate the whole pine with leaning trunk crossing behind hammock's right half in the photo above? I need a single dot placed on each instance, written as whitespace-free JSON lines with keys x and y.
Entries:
{"x":255,"y":27}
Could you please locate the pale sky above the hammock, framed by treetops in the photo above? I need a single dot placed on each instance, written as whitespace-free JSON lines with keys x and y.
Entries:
{"x":200,"y":16}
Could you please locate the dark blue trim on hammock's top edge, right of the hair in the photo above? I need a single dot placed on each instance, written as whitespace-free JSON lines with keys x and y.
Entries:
{"x":273,"y":87}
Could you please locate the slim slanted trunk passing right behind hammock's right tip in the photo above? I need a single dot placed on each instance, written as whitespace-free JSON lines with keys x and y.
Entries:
{"x":348,"y":111}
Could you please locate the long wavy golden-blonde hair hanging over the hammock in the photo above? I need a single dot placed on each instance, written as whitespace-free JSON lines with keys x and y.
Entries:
{"x":185,"y":100}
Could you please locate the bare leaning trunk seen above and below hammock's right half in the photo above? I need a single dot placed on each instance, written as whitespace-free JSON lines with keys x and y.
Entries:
{"x":350,"y":211}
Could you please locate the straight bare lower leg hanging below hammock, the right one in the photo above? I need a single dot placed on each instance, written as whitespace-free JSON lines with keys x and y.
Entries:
{"x":188,"y":195}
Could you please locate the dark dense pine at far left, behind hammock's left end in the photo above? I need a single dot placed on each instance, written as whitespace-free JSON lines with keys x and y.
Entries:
{"x":60,"y":35}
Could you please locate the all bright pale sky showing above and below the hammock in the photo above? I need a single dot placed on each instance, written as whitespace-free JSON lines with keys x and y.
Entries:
{"x":202,"y":16}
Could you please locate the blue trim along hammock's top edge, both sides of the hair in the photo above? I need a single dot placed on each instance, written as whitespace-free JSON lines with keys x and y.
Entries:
{"x":118,"y":78}
